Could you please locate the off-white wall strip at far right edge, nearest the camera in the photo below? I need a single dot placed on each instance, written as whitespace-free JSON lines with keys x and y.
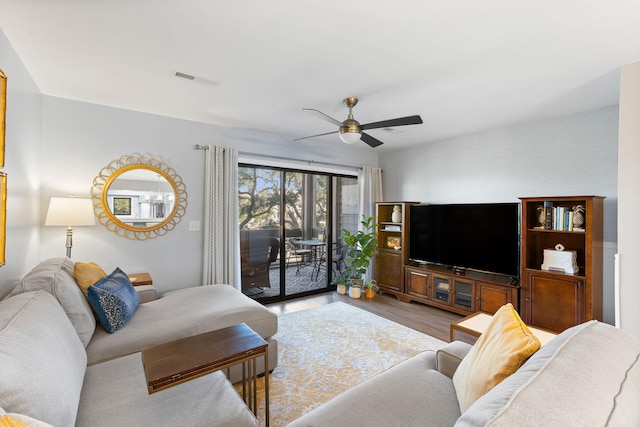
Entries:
{"x":629,"y":190}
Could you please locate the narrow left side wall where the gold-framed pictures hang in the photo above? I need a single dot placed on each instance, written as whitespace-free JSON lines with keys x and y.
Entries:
{"x":22,"y":160}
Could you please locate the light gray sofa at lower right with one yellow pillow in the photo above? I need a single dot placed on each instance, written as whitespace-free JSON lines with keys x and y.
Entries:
{"x":588,"y":375}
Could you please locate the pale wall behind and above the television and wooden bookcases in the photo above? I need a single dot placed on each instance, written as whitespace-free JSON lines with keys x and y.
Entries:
{"x":572,"y":155}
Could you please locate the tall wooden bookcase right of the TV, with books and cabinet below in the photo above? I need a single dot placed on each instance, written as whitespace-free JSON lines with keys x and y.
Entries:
{"x":555,"y":299}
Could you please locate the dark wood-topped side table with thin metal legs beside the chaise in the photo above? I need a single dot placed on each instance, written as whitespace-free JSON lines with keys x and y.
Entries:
{"x":175,"y":362}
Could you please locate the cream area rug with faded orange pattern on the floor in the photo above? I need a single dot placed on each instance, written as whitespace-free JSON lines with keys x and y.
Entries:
{"x":327,"y":350}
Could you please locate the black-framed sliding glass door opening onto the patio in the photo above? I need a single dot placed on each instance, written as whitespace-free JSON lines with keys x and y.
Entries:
{"x":290,"y":224}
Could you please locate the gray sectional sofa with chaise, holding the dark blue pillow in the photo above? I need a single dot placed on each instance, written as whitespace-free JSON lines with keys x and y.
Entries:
{"x":58,"y":367}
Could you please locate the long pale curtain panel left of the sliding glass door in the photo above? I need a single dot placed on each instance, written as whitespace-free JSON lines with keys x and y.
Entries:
{"x":221,"y":264}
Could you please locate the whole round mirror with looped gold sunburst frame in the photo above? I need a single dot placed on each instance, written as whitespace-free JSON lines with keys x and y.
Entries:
{"x":139,"y":197}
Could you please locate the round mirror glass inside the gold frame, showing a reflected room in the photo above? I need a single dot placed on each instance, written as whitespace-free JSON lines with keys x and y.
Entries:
{"x":141,"y":198}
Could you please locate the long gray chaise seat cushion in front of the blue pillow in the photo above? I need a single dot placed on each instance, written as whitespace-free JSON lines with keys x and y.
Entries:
{"x":210,"y":307}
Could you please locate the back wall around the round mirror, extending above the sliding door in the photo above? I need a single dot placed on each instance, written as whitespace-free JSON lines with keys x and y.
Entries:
{"x":79,"y":139}
